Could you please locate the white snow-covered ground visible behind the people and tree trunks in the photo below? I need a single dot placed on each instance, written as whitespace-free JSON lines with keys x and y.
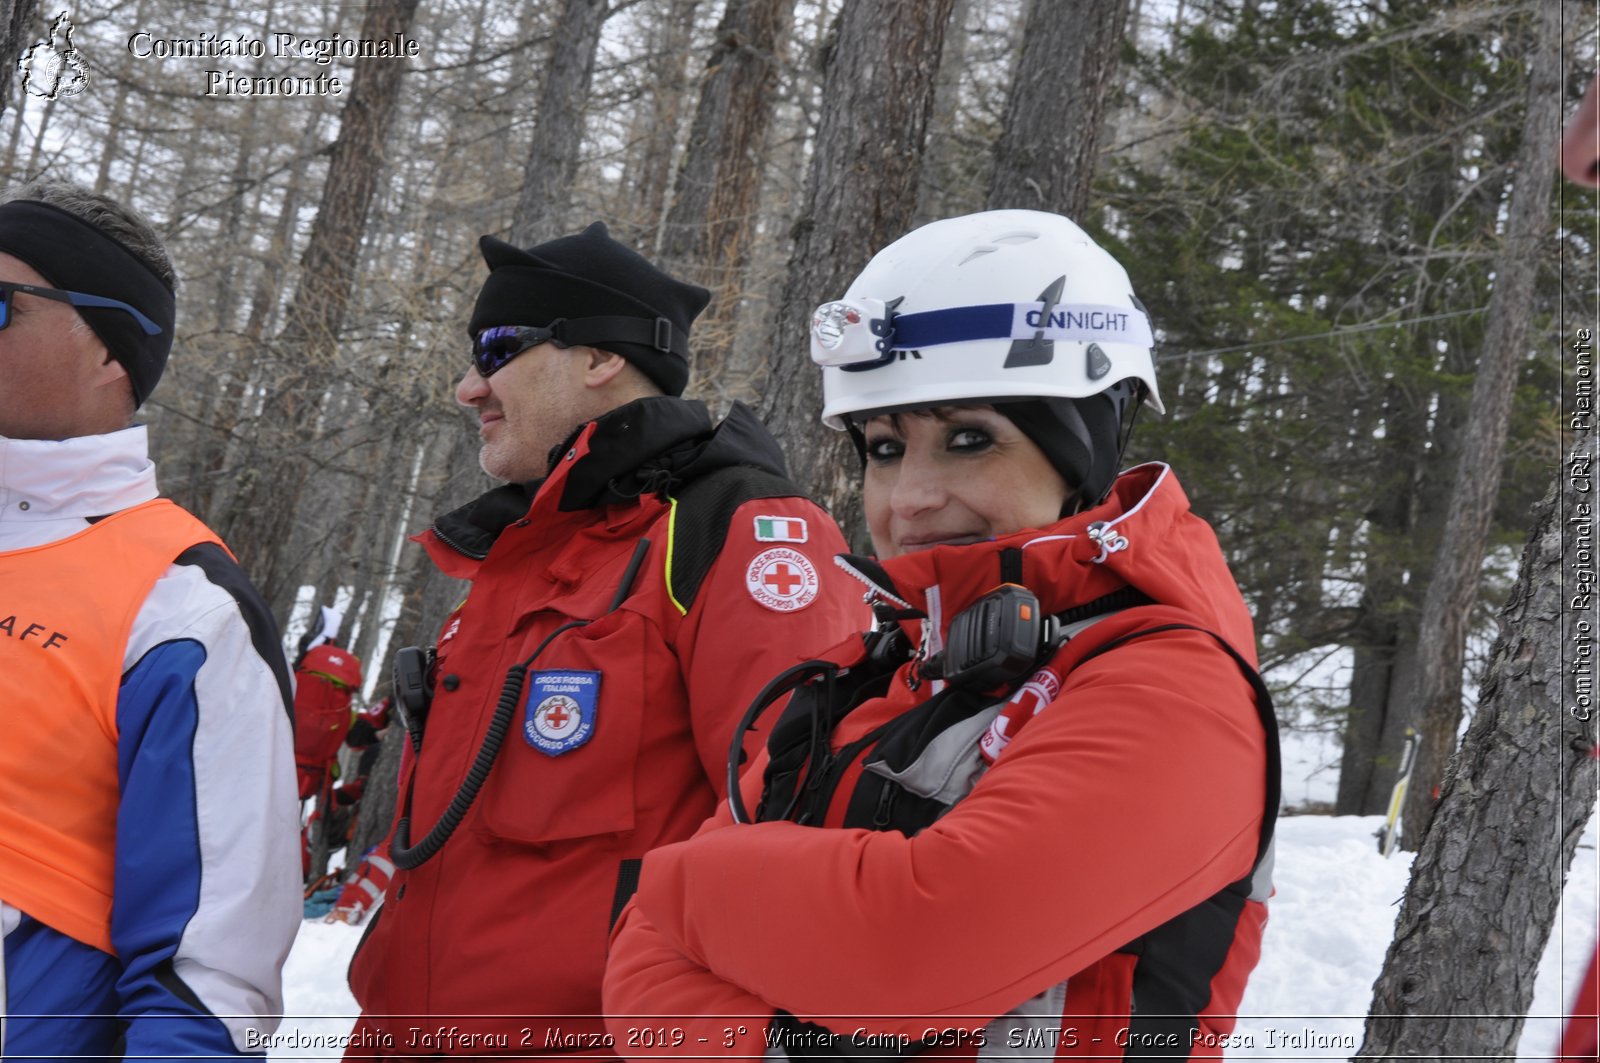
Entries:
{"x":1332,"y":921}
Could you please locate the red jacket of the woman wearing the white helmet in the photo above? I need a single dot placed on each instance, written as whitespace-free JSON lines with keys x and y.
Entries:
{"x":1102,"y":868}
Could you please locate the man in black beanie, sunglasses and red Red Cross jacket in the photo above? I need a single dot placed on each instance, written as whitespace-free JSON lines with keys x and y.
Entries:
{"x":634,"y":584}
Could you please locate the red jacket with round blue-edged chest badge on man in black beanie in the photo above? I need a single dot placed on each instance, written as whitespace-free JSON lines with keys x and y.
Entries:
{"x":622,"y":736}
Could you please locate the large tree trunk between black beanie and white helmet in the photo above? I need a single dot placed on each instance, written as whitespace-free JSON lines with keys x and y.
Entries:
{"x":862,"y":195}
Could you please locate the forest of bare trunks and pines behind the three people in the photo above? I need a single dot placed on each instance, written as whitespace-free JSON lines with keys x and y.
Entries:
{"x":1343,"y":217}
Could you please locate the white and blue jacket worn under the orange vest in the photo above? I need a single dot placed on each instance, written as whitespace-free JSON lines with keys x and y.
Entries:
{"x":207,"y":893}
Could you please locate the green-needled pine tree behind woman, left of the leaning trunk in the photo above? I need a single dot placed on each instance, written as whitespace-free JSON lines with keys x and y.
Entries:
{"x":1318,"y":252}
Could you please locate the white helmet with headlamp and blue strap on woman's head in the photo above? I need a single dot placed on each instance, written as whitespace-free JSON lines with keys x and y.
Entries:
{"x":994,"y":307}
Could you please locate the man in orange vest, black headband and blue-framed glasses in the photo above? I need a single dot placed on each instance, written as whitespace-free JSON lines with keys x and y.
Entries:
{"x":148,"y":817}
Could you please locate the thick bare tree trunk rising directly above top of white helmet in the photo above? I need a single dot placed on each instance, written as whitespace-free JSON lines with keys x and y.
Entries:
{"x":1050,"y":135}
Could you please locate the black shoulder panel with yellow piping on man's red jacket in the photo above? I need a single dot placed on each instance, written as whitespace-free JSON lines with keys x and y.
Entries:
{"x":698,"y":527}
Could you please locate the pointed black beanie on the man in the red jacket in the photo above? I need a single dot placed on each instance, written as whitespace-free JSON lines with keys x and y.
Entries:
{"x":602,"y":294}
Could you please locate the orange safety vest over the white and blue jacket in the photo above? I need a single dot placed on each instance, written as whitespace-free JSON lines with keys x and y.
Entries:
{"x":66,"y":611}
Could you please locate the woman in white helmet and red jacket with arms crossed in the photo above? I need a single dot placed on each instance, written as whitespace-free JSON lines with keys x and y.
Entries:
{"x":1049,"y":777}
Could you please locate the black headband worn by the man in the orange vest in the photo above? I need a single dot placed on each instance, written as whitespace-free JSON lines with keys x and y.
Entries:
{"x":79,"y":257}
